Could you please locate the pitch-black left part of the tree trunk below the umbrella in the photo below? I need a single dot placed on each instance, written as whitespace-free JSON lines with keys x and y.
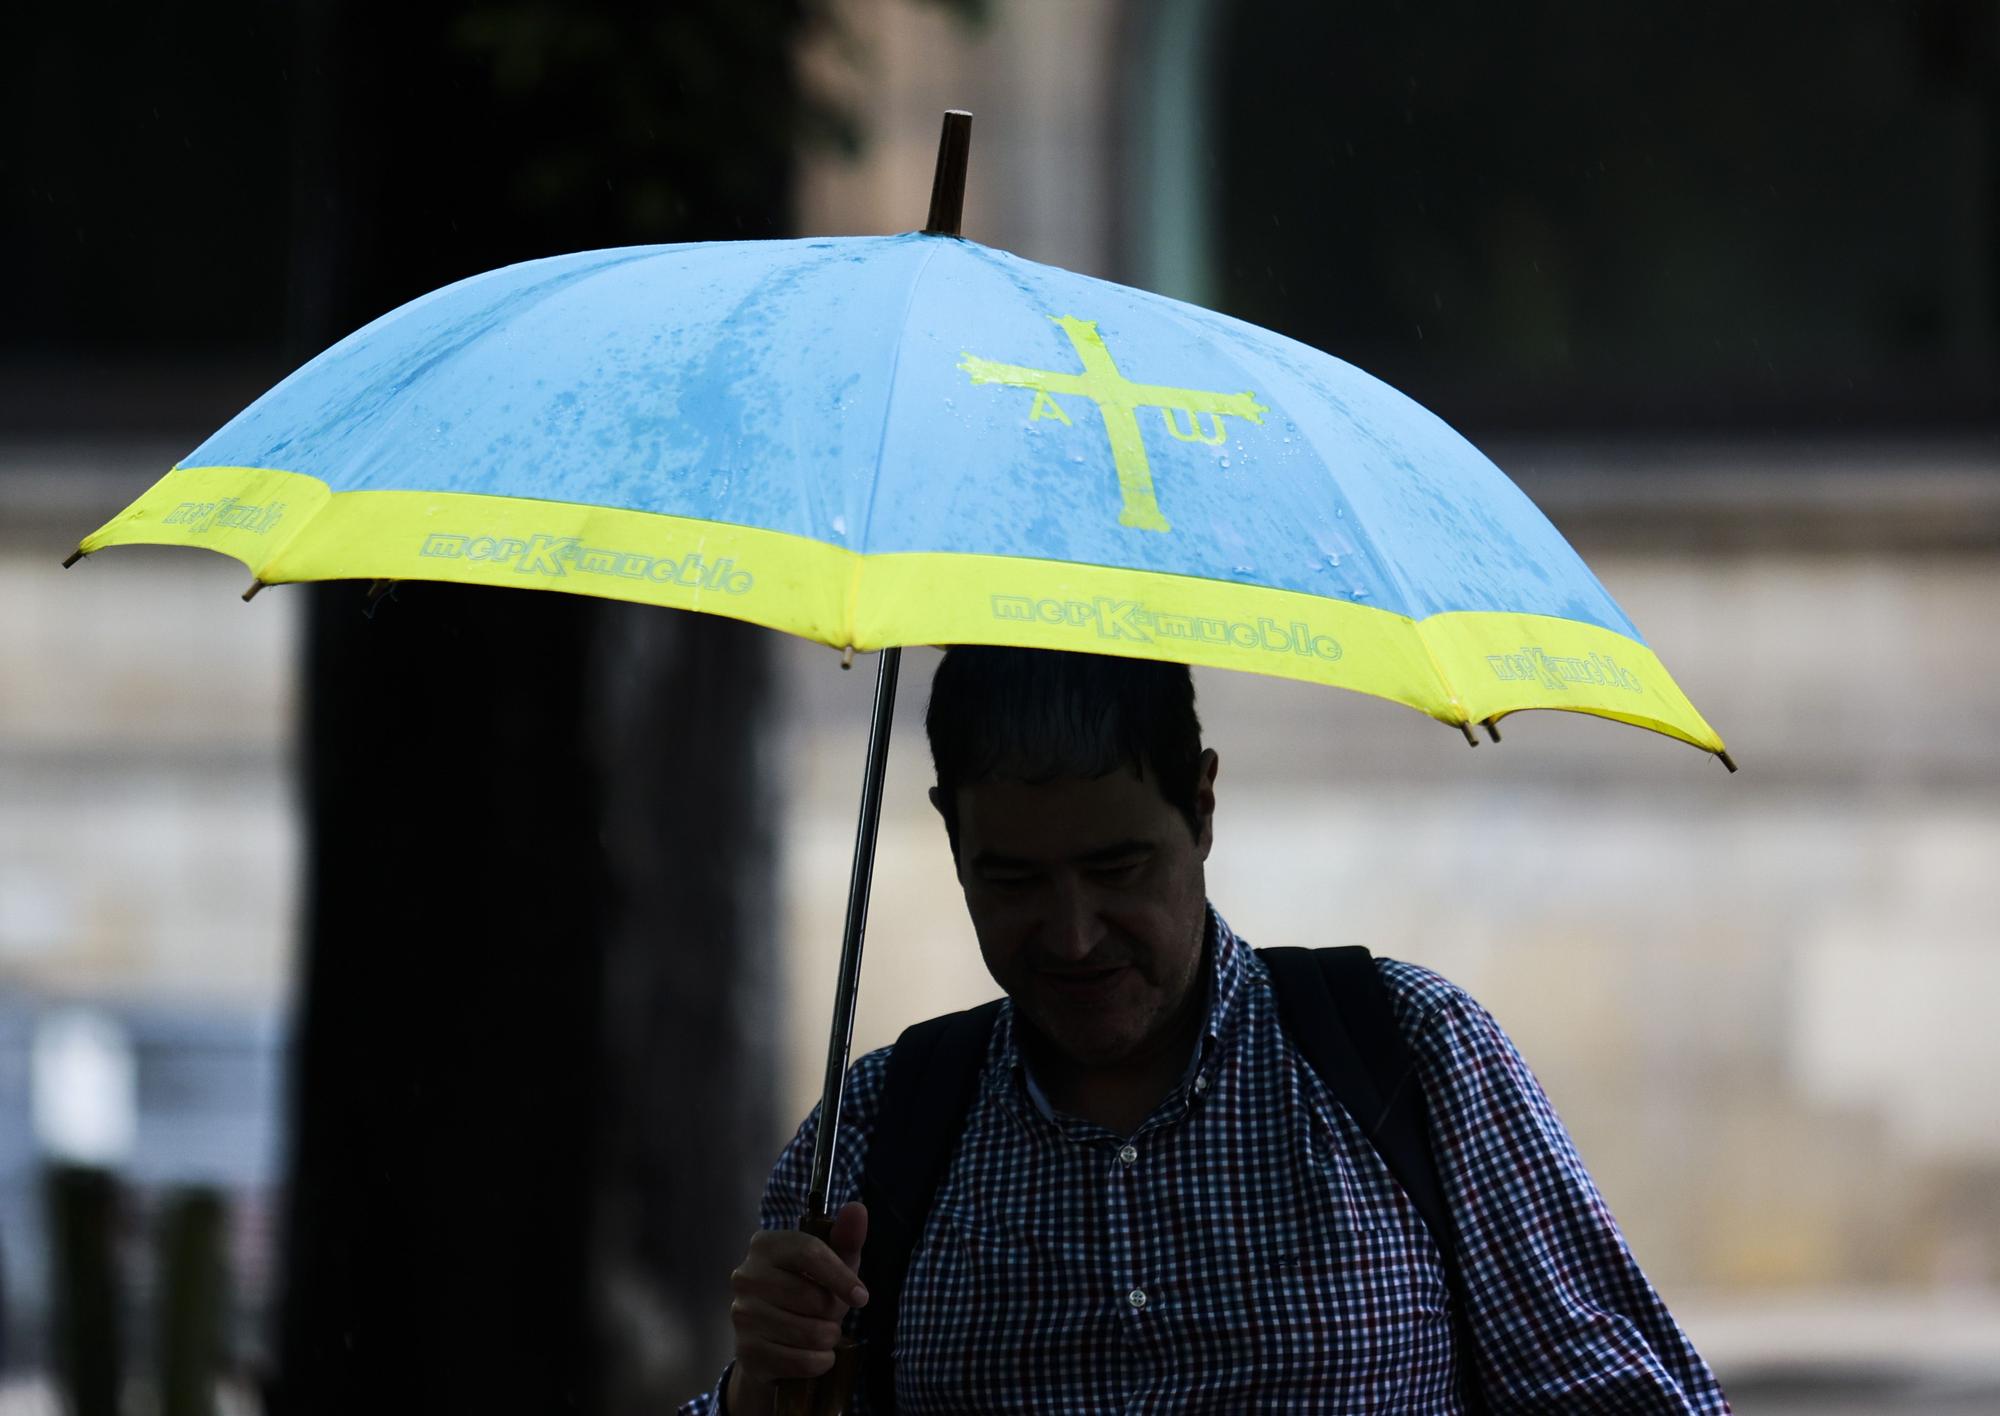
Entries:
{"x":449,"y":1029}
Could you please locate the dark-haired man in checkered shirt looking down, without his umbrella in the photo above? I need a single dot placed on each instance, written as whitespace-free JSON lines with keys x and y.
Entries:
{"x":1155,"y":1203}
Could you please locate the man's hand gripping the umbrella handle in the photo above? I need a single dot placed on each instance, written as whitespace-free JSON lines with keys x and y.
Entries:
{"x":791,"y":1295}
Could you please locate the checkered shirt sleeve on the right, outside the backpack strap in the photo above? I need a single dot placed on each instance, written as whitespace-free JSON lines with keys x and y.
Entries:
{"x":1561,"y":1315}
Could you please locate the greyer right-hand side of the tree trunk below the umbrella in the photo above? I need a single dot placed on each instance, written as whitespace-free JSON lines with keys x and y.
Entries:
{"x":689,"y":1035}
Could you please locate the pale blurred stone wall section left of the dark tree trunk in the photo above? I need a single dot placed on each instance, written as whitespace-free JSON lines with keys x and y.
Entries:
{"x":147,"y":835}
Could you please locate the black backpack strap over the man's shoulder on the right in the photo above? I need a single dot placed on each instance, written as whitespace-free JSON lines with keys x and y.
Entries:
{"x":1341,"y":1019}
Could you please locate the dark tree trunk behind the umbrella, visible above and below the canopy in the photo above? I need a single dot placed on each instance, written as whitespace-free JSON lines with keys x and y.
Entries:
{"x":533,"y":1057}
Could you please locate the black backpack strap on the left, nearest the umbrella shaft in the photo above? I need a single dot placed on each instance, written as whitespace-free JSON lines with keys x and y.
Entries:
{"x":927,"y":1093}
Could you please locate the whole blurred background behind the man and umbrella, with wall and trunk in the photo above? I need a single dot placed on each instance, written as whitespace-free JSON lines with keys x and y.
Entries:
{"x":375,"y":1047}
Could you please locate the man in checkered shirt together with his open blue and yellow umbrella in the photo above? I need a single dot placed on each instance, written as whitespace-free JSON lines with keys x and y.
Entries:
{"x":1167,"y":1173}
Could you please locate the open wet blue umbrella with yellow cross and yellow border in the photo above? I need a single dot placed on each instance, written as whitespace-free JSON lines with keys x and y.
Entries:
{"x":917,"y":441}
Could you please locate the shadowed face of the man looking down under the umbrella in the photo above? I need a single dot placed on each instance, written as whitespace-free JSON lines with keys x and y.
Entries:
{"x":1091,"y":905}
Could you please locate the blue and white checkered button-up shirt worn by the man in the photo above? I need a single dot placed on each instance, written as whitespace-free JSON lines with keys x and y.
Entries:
{"x":1247,"y":1249}
